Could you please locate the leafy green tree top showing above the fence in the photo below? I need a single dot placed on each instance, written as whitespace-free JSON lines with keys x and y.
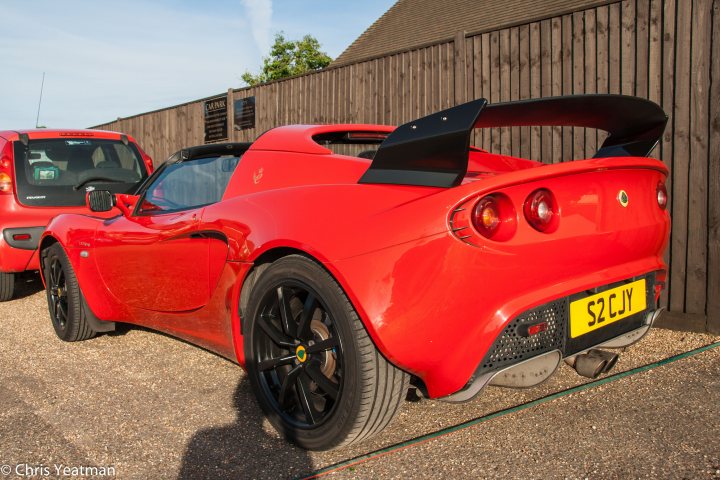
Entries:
{"x":288,"y":58}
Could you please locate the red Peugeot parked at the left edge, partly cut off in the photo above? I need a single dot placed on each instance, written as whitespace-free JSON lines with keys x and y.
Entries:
{"x":47,"y":172}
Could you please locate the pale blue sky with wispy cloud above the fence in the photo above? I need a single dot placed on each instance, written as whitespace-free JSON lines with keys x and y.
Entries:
{"x":104,"y":60}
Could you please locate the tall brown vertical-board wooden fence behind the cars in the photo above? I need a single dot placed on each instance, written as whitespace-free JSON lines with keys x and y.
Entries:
{"x":664,"y":50}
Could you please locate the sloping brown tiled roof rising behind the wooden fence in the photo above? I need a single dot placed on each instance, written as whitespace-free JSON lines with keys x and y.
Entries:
{"x":411,"y":23}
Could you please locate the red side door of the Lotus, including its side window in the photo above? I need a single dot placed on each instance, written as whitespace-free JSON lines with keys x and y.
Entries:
{"x":157,"y":258}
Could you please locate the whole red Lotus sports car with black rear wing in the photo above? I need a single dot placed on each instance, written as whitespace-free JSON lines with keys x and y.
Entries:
{"x":342,"y":264}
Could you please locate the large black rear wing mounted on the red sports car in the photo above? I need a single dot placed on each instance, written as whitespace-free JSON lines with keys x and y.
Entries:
{"x":433,"y":151}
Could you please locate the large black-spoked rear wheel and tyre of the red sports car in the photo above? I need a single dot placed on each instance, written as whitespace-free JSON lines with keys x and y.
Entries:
{"x":312,"y":366}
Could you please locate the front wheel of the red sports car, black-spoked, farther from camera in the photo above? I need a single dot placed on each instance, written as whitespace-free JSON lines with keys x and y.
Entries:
{"x":65,"y":300}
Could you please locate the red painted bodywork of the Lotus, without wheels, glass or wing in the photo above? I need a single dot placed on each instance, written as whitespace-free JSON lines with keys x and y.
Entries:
{"x":432,"y":302}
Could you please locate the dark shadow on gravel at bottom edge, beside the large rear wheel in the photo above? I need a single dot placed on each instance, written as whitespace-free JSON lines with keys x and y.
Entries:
{"x":247,"y":448}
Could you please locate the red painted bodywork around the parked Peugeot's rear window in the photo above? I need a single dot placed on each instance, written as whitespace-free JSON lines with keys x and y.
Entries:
{"x":14,"y":214}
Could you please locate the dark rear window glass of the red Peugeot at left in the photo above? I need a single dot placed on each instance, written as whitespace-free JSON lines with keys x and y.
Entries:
{"x":58,"y":172}
